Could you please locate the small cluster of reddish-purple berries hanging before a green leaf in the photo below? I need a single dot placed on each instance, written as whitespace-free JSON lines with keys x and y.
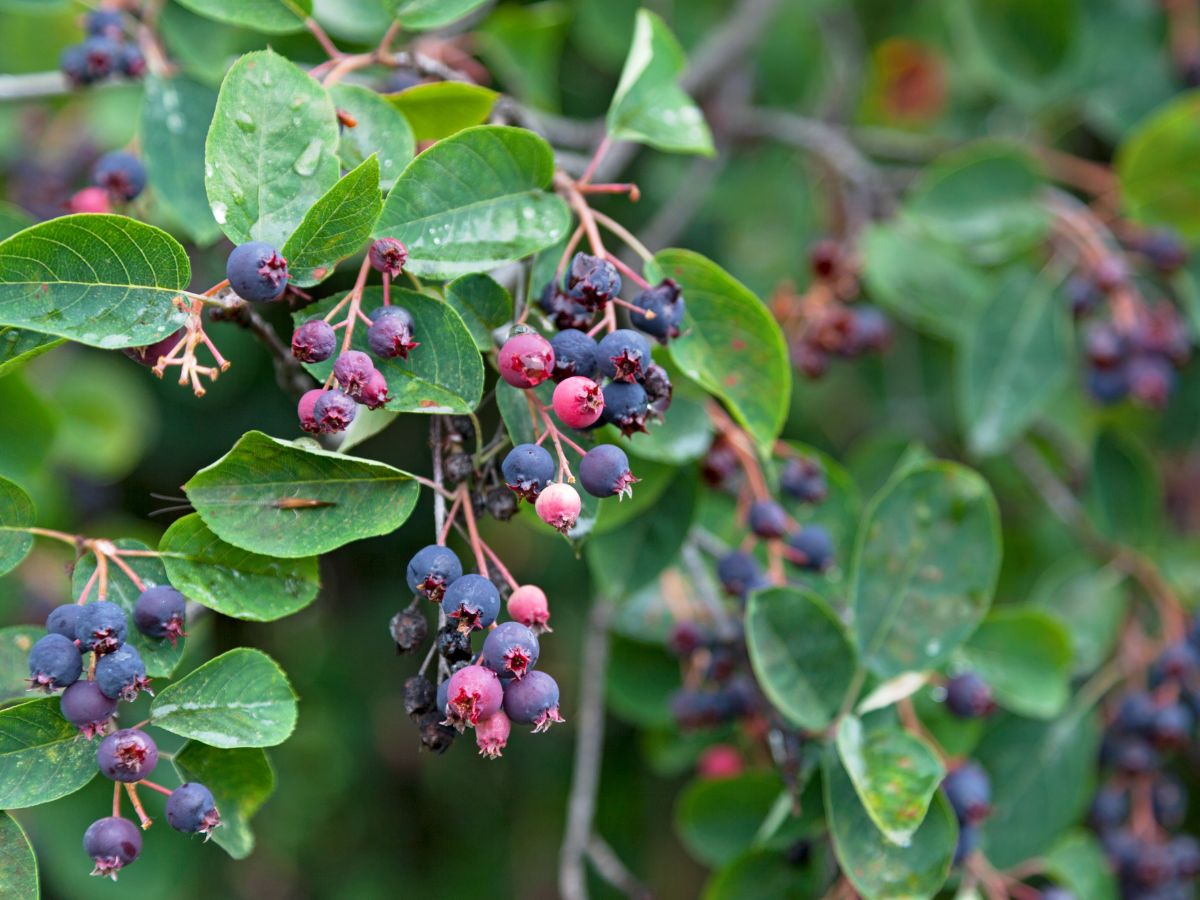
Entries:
{"x":325,"y":411}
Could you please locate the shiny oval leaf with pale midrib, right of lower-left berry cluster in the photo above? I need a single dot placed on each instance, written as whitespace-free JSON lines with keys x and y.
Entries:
{"x":241,"y":699}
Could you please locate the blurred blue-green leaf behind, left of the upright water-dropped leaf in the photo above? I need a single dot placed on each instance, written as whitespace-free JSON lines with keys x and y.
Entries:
{"x":176,"y":118}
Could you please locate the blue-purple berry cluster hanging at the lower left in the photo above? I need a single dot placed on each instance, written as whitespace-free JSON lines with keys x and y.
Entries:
{"x":116,"y":673}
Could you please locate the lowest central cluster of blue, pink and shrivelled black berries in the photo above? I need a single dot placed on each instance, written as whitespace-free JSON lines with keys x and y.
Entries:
{"x":487,"y":692}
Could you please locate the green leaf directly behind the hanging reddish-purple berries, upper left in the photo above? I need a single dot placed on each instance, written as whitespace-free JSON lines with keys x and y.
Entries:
{"x":445,"y":375}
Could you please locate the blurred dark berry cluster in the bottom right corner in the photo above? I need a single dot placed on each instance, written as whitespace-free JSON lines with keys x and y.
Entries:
{"x":1139,"y":812}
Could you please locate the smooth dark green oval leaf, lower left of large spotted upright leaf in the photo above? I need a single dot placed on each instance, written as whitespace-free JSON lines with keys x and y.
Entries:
{"x":801,"y":655}
